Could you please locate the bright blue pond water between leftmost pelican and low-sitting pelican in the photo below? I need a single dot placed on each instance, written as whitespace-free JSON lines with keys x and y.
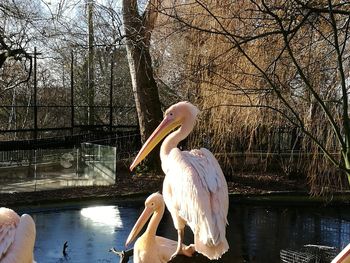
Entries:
{"x":90,"y":232}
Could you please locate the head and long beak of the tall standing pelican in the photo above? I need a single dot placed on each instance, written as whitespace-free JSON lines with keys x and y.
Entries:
{"x":174,"y":116}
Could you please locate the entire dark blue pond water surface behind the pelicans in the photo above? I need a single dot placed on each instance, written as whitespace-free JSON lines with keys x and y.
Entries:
{"x":256,"y":232}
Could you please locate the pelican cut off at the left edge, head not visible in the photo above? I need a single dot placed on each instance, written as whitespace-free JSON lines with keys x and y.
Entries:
{"x":17,"y":237}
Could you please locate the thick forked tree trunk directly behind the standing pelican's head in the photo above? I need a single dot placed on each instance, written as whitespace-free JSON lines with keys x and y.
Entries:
{"x":138,"y":29}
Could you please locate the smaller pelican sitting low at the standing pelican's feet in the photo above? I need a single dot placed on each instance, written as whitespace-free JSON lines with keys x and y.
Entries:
{"x":150,"y":248}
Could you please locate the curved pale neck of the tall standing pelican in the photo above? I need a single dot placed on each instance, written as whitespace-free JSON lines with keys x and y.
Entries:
{"x":173,"y":139}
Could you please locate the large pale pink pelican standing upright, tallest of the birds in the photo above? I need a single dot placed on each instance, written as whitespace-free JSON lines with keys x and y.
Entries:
{"x":194,"y":188}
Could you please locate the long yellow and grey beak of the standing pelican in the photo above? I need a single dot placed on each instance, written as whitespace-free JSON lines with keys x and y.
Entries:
{"x":165,"y":127}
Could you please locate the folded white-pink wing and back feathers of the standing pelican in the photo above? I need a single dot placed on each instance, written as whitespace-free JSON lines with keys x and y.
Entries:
{"x":199,"y":193}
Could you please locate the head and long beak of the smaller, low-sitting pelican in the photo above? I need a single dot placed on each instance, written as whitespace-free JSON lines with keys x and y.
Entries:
{"x":153,"y":203}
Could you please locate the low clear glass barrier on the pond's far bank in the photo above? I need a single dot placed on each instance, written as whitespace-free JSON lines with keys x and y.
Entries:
{"x":43,"y":169}
